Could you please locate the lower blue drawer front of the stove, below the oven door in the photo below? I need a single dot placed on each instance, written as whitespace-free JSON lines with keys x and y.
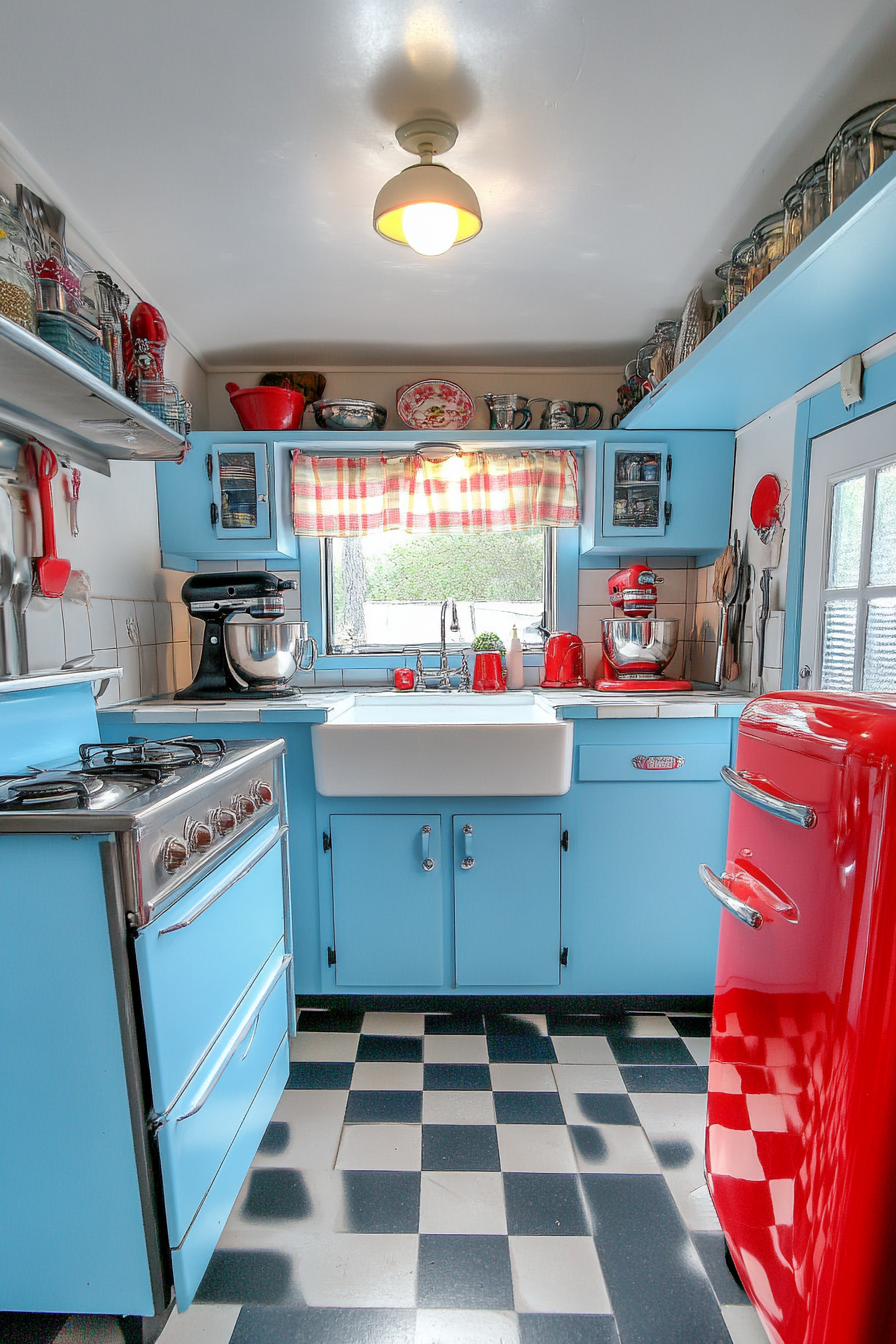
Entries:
{"x":195,"y":1136}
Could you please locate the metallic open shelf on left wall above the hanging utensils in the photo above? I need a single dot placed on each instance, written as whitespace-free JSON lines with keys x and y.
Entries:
{"x":46,"y":394}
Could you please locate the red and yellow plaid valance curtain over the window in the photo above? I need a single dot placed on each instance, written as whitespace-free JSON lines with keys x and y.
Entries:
{"x":469,"y":493}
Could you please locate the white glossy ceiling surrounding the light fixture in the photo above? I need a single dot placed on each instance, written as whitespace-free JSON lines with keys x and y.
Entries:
{"x":229,"y":155}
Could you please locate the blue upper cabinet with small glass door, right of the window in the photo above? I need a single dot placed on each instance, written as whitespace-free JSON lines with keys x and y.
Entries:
{"x":658,"y":494}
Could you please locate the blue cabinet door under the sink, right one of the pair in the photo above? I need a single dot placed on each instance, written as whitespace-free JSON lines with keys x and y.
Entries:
{"x":507,"y":900}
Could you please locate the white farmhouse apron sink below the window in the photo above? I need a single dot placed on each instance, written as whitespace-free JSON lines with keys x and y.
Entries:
{"x":429,"y":744}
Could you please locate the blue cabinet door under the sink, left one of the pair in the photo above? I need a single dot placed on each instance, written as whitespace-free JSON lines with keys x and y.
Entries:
{"x":388,"y":901}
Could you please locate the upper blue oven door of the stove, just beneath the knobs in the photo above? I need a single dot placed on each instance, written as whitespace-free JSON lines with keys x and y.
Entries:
{"x":198,"y":959}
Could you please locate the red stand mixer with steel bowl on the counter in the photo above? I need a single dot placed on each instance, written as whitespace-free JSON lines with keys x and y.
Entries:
{"x":636,"y":644}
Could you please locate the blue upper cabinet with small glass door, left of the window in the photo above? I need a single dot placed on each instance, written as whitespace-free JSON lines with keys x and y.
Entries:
{"x":228,"y":501}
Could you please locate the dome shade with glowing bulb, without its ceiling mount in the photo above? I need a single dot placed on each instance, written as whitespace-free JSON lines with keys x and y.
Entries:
{"x":427,"y":186}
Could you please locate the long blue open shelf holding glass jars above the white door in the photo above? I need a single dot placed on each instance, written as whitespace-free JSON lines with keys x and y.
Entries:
{"x":834,"y":298}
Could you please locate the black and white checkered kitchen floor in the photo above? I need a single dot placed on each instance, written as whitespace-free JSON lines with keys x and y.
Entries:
{"x":495,"y":1179}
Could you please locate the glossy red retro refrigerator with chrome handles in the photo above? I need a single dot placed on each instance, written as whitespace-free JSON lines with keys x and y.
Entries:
{"x":801,"y":1128}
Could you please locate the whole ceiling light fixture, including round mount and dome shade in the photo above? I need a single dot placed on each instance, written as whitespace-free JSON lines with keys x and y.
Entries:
{"x":428,"y":208}
